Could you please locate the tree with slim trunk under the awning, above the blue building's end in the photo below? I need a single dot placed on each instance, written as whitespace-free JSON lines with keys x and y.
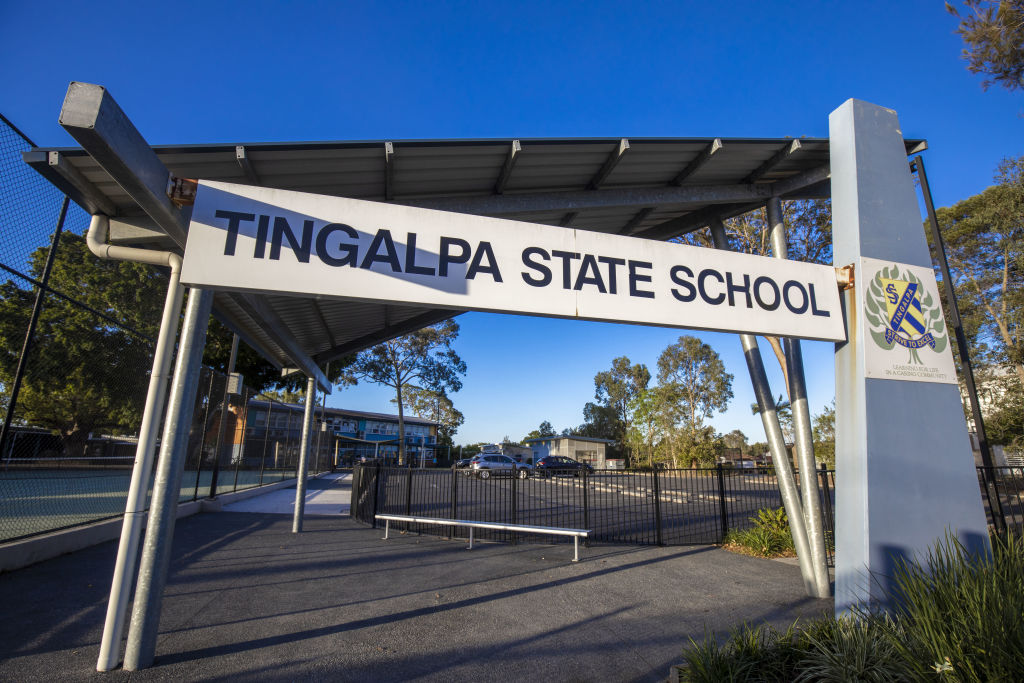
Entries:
{"x":423,"y":360}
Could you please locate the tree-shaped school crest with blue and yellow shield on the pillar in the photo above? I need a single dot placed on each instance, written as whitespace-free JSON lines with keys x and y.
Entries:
{"x":901,"y":312}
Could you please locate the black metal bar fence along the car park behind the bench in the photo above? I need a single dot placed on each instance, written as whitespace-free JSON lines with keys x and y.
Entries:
{"x":662,"y":507}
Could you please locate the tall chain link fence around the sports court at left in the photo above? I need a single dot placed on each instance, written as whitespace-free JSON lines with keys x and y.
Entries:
{"x":78,"y":335}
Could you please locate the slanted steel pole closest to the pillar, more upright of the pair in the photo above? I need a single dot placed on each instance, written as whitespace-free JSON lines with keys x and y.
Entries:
{"x":802,"y":423}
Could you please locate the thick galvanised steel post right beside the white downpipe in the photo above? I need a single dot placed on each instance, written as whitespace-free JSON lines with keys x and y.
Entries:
{"x":167,"y":486}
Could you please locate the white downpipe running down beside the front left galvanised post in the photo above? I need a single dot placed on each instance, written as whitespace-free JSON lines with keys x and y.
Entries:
{"x":132,"y":531}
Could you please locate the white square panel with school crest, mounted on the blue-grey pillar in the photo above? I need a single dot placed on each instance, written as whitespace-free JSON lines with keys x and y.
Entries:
{"x":908,"y":337}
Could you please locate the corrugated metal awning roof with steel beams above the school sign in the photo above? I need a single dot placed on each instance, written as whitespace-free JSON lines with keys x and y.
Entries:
{"x":647,"y":188}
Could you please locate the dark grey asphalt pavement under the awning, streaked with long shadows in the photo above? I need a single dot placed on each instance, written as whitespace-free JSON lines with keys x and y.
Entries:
{"x":247,"y":599}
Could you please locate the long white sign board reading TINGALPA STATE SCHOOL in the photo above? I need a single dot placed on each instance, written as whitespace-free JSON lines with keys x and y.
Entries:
{"x":262,"y":240}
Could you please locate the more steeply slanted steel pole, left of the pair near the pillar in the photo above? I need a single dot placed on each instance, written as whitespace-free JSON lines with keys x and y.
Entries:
{"x":777,"y":442}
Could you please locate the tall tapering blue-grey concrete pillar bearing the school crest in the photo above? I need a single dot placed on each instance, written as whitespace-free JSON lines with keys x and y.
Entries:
{"x":905,"y":469}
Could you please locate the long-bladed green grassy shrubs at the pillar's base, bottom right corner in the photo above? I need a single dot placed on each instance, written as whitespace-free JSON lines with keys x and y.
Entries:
{"x":958,"y":617}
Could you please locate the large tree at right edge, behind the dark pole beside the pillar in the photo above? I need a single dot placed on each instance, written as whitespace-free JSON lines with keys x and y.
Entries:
{"x":985,"y":238}
